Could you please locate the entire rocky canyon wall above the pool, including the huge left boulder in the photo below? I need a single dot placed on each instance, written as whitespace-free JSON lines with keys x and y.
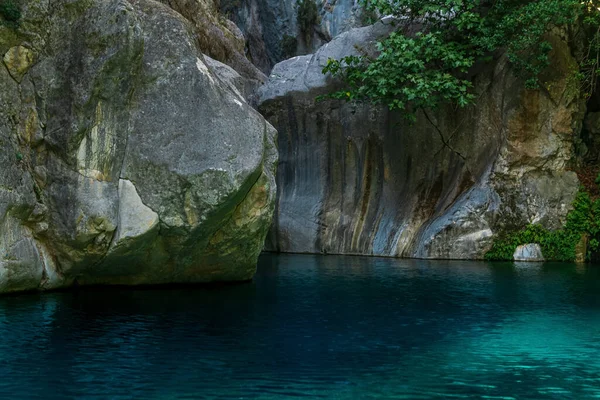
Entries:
{"x":129,"y":156}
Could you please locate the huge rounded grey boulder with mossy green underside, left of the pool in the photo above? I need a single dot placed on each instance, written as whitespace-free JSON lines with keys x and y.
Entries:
{"x":126,"y":159}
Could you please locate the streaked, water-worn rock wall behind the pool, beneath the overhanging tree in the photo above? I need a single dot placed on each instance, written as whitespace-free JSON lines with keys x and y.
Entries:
{"x":357,"y":179}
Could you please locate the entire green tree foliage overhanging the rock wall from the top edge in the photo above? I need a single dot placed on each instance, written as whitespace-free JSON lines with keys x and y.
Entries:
{"x":423,"y":69}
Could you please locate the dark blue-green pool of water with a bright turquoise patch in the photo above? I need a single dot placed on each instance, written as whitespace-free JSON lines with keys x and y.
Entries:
{"x":316,"y":327}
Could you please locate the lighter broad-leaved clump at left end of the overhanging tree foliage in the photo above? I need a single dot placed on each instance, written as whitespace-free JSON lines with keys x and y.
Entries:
{"x":402,"y":76}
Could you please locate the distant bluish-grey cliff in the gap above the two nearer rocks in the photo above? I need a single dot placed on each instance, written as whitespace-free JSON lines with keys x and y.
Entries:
{"x":265,"y":24}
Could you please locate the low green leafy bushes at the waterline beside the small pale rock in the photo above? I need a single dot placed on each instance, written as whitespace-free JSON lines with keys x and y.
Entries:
{"x":559,"y":245}
